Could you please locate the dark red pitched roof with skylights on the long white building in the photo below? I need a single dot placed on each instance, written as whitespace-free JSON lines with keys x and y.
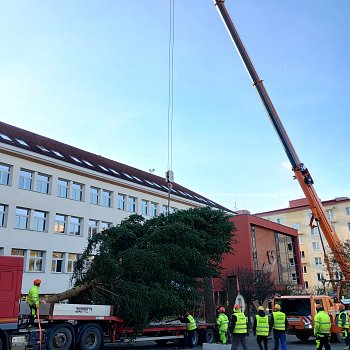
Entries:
{"x":27,"y":140}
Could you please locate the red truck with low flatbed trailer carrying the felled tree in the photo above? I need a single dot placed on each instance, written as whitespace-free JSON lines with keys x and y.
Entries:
{"x":63,"y":325}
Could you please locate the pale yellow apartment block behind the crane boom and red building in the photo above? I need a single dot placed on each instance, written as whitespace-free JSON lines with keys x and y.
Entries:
{"x":297,"y":216}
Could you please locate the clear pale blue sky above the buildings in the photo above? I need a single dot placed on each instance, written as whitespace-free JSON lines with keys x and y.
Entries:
{"x":94,"y":74}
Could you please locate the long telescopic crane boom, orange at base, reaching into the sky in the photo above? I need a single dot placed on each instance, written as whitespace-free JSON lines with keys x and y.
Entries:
{"x":300,"y":171}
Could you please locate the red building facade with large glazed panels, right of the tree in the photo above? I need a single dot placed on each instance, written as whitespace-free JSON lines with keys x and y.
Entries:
{"x":262,"y":245}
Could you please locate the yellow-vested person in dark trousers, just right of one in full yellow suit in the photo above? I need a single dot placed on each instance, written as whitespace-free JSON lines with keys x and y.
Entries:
{"x":239,"y":328}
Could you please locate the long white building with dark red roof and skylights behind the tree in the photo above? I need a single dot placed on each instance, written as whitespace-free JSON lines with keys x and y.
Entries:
{"x":53,"y":197}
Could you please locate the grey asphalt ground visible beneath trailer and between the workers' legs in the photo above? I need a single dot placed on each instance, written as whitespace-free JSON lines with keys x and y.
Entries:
{"x":292,"y":344}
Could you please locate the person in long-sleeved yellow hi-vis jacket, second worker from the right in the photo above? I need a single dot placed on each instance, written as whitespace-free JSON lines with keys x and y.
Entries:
{"x":322,"y":328}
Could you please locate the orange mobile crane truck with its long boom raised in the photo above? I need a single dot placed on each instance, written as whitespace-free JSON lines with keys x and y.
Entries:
{"x":299,"y":323}
